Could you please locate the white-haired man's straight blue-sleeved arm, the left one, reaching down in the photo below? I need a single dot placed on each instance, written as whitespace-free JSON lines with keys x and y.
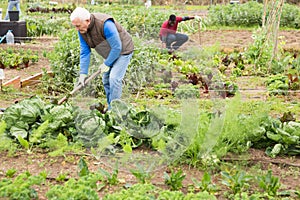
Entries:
{"x":85,"y":54}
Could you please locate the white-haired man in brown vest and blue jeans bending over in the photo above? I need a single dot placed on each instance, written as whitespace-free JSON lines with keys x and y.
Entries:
{"x":103,"y":33}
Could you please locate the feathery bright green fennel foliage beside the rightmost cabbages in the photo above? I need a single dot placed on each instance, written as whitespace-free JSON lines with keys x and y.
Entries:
{"x":240,"y":127}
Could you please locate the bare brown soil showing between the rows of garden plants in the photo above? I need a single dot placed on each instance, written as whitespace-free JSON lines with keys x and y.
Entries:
{"x":287,"y":168}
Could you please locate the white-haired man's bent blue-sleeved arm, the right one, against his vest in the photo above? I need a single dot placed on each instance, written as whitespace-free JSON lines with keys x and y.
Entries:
{"x":112,"y":36}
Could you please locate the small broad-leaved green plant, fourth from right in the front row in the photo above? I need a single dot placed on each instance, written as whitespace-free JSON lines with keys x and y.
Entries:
{"x":174,"y":180}
